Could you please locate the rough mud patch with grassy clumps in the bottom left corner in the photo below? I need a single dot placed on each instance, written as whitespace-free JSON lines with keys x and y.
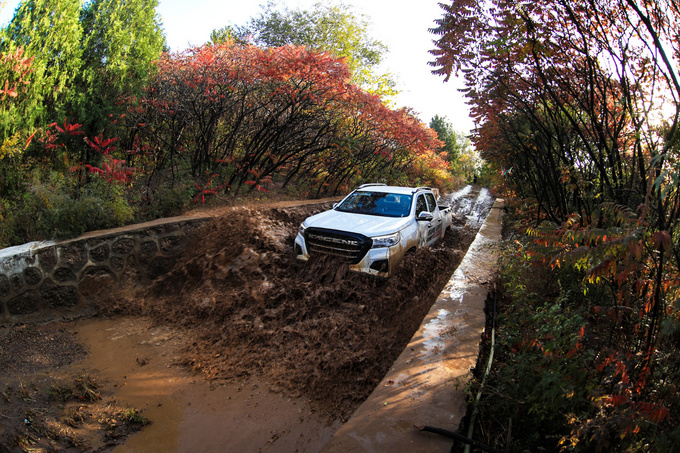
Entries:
{"x":47,"y":405}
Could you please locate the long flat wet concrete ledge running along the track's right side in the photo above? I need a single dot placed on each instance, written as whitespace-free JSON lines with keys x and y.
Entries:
{"x":426,"y":384}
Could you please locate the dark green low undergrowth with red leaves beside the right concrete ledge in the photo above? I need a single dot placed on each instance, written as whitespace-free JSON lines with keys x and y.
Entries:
{"x":569,"y":371}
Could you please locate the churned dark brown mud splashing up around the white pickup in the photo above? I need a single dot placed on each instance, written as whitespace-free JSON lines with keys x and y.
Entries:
{"x":312,"y":329}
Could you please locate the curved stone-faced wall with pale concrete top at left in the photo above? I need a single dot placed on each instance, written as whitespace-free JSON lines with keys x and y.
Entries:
{"x":49,"y":280}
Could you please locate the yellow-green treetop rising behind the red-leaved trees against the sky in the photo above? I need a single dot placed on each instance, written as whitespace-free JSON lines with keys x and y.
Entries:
{"x":329,"y":28}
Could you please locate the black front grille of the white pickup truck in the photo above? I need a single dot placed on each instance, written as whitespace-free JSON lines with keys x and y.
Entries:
{"x":351,"y":246}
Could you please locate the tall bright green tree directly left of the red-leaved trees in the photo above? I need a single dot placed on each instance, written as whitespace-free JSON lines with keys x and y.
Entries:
{"x":121,"y":40}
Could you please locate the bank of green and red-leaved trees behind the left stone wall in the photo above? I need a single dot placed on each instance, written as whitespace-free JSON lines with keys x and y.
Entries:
{"x":101,"y":125}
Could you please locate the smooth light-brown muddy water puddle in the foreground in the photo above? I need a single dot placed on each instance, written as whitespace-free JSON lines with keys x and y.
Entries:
{"x":188,"y":413}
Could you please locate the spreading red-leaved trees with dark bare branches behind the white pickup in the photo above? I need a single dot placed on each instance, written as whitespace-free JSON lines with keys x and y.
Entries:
{"x":284,"y":112}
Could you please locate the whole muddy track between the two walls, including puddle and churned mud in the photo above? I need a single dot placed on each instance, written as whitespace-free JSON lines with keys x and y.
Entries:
{"x":238,"y":346}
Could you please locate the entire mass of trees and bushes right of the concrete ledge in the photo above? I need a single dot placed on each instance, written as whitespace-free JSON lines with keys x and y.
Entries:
{"x":576,"y":104}
